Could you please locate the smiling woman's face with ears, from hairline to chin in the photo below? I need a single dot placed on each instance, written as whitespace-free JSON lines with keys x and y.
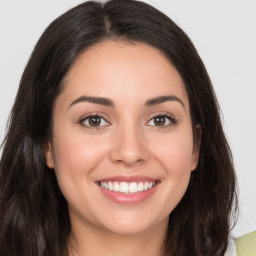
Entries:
{"x":122,"y":146}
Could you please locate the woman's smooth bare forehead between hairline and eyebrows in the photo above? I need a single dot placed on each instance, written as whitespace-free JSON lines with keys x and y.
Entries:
{"x":116,"y":69}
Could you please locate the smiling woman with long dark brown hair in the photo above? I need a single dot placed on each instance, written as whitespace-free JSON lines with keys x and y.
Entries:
{"x":115,"y":145}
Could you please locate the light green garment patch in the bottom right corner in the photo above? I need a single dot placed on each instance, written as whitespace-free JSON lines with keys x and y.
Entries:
{"x":246,"y":245}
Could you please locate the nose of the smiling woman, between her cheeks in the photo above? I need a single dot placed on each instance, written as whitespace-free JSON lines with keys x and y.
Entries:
{"x":129,"y":147}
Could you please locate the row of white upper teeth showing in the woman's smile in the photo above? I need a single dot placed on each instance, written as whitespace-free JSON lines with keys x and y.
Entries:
{"x":127,"y":188}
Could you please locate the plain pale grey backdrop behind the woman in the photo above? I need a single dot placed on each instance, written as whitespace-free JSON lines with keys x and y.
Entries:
{"x":223,"y":31}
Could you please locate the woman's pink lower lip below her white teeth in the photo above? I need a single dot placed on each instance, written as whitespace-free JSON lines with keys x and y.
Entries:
{"x":129,"y":198}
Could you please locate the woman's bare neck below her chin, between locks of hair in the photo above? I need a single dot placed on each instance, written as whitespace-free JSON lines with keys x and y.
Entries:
{"x":91,"y":241}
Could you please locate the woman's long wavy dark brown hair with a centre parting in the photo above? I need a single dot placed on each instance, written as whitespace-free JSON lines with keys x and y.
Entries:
{"x":34,"y":218}
